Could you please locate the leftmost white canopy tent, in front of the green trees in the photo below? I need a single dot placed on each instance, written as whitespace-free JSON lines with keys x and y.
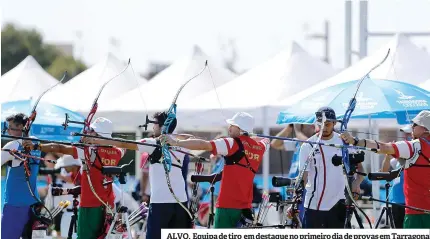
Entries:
{"x":27,"y":80}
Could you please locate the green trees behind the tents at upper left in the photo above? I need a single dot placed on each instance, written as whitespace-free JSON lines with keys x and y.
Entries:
{"x":17,"y":43}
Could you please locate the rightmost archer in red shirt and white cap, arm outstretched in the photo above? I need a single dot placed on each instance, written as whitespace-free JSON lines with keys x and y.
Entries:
{"x":414,"y":156}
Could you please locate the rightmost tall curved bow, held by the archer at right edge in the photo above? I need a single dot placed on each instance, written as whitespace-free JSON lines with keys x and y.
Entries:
{"x":345,"y":153}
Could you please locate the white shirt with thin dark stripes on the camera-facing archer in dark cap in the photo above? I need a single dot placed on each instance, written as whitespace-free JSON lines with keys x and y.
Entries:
{"x":326,"y":182}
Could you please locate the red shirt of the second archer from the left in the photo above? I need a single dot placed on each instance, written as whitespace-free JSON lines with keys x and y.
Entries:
{"x":108,"y":157}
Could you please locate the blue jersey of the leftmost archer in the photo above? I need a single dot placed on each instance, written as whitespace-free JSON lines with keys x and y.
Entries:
{"x":17,"y":192}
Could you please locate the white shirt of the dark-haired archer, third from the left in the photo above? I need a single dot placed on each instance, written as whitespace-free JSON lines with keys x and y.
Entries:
{"x":160,"y":192}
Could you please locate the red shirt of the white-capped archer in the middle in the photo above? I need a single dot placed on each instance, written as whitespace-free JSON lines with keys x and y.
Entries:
{"x":237,"y":182}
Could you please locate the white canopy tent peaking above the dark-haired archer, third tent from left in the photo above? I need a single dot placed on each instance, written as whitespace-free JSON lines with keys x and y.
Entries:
{"x":160,"y":91}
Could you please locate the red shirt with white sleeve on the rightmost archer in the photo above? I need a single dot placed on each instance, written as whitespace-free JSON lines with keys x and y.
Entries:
{"x":416,"y":179}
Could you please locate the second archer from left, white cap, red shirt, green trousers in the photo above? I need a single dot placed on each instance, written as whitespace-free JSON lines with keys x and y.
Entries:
{"x":96,"y":200}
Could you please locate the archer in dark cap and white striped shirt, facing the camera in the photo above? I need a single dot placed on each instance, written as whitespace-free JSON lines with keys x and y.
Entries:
{"x":325,"y":188}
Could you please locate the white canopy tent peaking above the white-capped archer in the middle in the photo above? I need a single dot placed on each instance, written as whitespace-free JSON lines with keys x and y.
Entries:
{"x":290,"y":71}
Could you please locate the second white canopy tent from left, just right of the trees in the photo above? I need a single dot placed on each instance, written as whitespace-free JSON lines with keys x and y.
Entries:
{"x":78,"y":94}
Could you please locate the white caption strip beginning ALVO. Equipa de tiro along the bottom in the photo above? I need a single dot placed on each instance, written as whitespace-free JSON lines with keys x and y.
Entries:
{"x":295,"y":234}
